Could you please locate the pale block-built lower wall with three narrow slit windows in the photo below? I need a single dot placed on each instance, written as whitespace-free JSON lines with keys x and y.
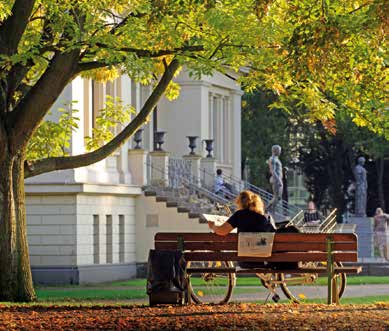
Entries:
{"x":60,"y":226}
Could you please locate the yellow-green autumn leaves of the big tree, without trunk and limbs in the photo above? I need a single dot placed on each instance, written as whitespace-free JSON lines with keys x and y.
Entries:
{"x":325,"y":57}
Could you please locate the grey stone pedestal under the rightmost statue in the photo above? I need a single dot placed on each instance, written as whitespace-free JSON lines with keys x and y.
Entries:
{"x":364,"y":231}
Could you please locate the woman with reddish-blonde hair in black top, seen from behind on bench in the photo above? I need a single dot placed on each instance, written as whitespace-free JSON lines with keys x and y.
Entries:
{"x":250,"y":216}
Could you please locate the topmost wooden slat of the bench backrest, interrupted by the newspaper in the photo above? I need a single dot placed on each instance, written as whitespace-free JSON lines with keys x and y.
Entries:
{"x":233,"y":237}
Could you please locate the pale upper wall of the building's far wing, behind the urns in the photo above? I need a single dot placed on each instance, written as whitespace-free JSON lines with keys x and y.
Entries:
{"x":191,"y":115}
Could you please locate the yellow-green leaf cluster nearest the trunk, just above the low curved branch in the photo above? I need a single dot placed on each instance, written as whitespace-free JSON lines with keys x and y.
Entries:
{"x":52,"y":138}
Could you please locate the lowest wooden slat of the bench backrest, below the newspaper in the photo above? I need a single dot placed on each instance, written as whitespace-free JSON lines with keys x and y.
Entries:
{"x":276,"y":257}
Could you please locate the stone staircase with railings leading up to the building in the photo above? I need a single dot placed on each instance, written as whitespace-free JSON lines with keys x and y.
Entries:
{"x":175,"y":185}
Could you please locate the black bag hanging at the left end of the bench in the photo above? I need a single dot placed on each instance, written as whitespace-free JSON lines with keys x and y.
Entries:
{"x":166,"y":282}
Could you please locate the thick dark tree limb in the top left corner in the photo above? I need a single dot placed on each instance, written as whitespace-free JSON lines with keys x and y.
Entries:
{"x":11,"y":31}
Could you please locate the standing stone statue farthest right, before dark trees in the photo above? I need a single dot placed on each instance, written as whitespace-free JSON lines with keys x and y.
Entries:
{"x":360,"y":187}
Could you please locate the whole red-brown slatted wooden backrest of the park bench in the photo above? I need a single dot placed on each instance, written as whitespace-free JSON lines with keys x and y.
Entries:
{"x":287,"y":247}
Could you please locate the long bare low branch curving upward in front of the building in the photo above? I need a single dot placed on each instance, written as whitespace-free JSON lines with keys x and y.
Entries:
{"x":60,"y":163}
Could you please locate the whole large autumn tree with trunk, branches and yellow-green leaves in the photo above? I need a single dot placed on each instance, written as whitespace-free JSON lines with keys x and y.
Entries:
{"x":328,"y":56}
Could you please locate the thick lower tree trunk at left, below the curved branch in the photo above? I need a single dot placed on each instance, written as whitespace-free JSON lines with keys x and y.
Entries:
{"x":15,"y":276}
